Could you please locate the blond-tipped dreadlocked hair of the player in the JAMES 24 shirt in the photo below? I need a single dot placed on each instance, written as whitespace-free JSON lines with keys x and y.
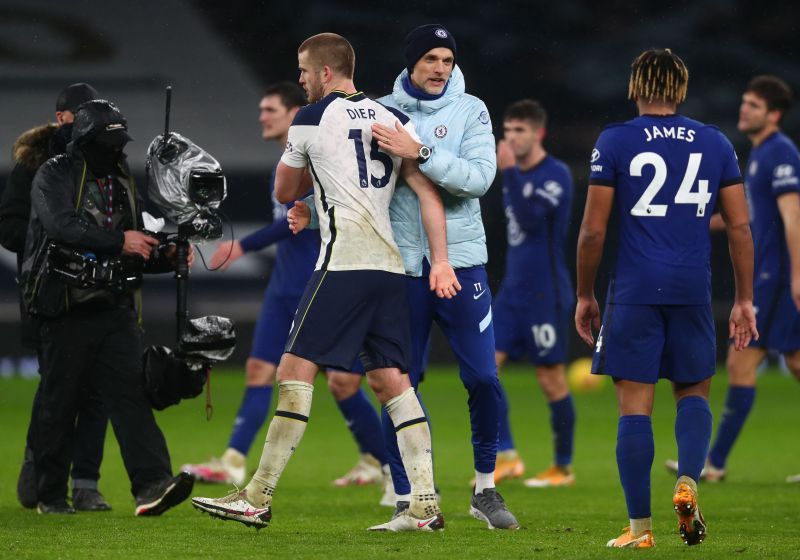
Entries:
{"x":658,"y":75}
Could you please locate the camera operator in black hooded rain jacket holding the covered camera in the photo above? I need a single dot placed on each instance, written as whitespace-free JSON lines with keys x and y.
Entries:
{"x":85,"y":203}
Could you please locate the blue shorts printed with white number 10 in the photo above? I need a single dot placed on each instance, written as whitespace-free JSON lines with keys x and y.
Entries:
{"x":536,"y":329}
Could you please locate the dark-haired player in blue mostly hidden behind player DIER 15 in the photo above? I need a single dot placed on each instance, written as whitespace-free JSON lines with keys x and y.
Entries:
{"x":295,"y":259}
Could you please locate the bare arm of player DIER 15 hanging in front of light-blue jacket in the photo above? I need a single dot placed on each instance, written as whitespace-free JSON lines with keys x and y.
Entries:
{"x":442,"y":276}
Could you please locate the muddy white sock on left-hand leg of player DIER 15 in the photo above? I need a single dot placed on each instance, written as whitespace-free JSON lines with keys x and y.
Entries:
{"x":284,"y":434}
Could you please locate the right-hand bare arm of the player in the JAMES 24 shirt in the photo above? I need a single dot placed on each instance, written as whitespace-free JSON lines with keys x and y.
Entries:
{"x":733,"y":209}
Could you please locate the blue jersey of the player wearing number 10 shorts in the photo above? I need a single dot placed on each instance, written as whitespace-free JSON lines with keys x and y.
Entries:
{"x":537,"y":205}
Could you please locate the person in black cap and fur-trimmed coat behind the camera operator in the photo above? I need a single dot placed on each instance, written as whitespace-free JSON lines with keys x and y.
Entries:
{"x":30,"y":151}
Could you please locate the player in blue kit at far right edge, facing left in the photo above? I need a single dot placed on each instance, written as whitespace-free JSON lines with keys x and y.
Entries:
{"x":772,"y":184}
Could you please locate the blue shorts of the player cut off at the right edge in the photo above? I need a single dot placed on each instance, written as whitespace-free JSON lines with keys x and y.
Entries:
{"x":777,"y":318}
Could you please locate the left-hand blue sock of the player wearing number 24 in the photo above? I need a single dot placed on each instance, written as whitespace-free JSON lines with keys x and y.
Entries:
{"x":635,"y":452}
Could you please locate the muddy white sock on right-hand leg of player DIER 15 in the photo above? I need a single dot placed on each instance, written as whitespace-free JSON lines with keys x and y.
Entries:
{"x":414,"y":441}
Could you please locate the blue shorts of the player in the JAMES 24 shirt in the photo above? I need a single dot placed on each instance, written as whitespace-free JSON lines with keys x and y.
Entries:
{"x":646,"y":342}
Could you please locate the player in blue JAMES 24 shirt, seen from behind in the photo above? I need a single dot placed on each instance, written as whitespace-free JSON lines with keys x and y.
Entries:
{"x":663,"y":173}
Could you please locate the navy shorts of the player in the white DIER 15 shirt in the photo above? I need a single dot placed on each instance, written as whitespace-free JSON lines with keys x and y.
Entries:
{"x":347,"y":314}
